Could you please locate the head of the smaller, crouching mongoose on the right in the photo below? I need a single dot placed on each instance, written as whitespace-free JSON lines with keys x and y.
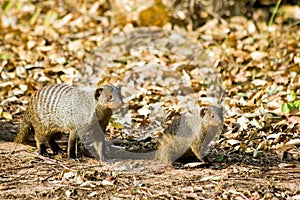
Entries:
{"x":212,"y":115}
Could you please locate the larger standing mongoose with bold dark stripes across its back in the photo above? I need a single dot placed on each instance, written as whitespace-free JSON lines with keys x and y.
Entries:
{"x":59,"y":108}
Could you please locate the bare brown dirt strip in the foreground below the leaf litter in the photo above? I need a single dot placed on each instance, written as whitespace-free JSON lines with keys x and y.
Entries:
{"x":26,"y":175}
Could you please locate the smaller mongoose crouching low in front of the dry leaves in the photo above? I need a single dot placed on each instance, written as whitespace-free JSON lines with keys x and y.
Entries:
{"x":190,"y":134}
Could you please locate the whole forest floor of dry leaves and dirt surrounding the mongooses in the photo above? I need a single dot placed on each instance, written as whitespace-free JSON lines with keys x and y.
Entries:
{"x":252,"y":69}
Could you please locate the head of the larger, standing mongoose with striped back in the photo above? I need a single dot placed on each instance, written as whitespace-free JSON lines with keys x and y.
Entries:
{"x":109,"y":96}
